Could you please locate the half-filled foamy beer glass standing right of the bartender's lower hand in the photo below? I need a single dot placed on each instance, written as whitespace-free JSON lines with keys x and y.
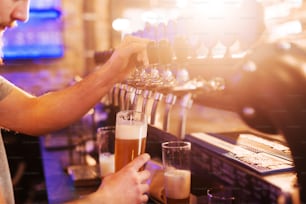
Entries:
{"x":177,"y":175}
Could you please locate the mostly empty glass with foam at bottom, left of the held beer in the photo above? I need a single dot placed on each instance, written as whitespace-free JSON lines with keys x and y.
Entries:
{"x":106,"y":146}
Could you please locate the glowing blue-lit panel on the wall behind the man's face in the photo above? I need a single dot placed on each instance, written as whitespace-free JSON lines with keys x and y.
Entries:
{"x":40,"y":37}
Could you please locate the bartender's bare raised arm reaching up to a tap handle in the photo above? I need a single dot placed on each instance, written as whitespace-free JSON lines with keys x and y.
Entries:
{"x":23,"y":112}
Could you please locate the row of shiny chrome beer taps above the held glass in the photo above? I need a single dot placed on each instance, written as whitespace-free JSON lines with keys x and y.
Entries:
{"x":165,"y":82}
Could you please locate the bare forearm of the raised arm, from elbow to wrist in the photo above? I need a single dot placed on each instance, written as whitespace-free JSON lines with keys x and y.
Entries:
{"x":58,"y":109}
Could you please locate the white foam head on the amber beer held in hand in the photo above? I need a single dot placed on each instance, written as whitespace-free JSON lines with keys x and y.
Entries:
{"x":131,"y":132}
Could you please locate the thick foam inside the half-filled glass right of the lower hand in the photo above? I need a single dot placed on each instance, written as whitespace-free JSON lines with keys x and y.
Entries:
{"x":177,"y":183}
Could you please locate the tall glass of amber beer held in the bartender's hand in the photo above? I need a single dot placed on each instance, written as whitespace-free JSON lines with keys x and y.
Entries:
{"x":130,"y":138}
